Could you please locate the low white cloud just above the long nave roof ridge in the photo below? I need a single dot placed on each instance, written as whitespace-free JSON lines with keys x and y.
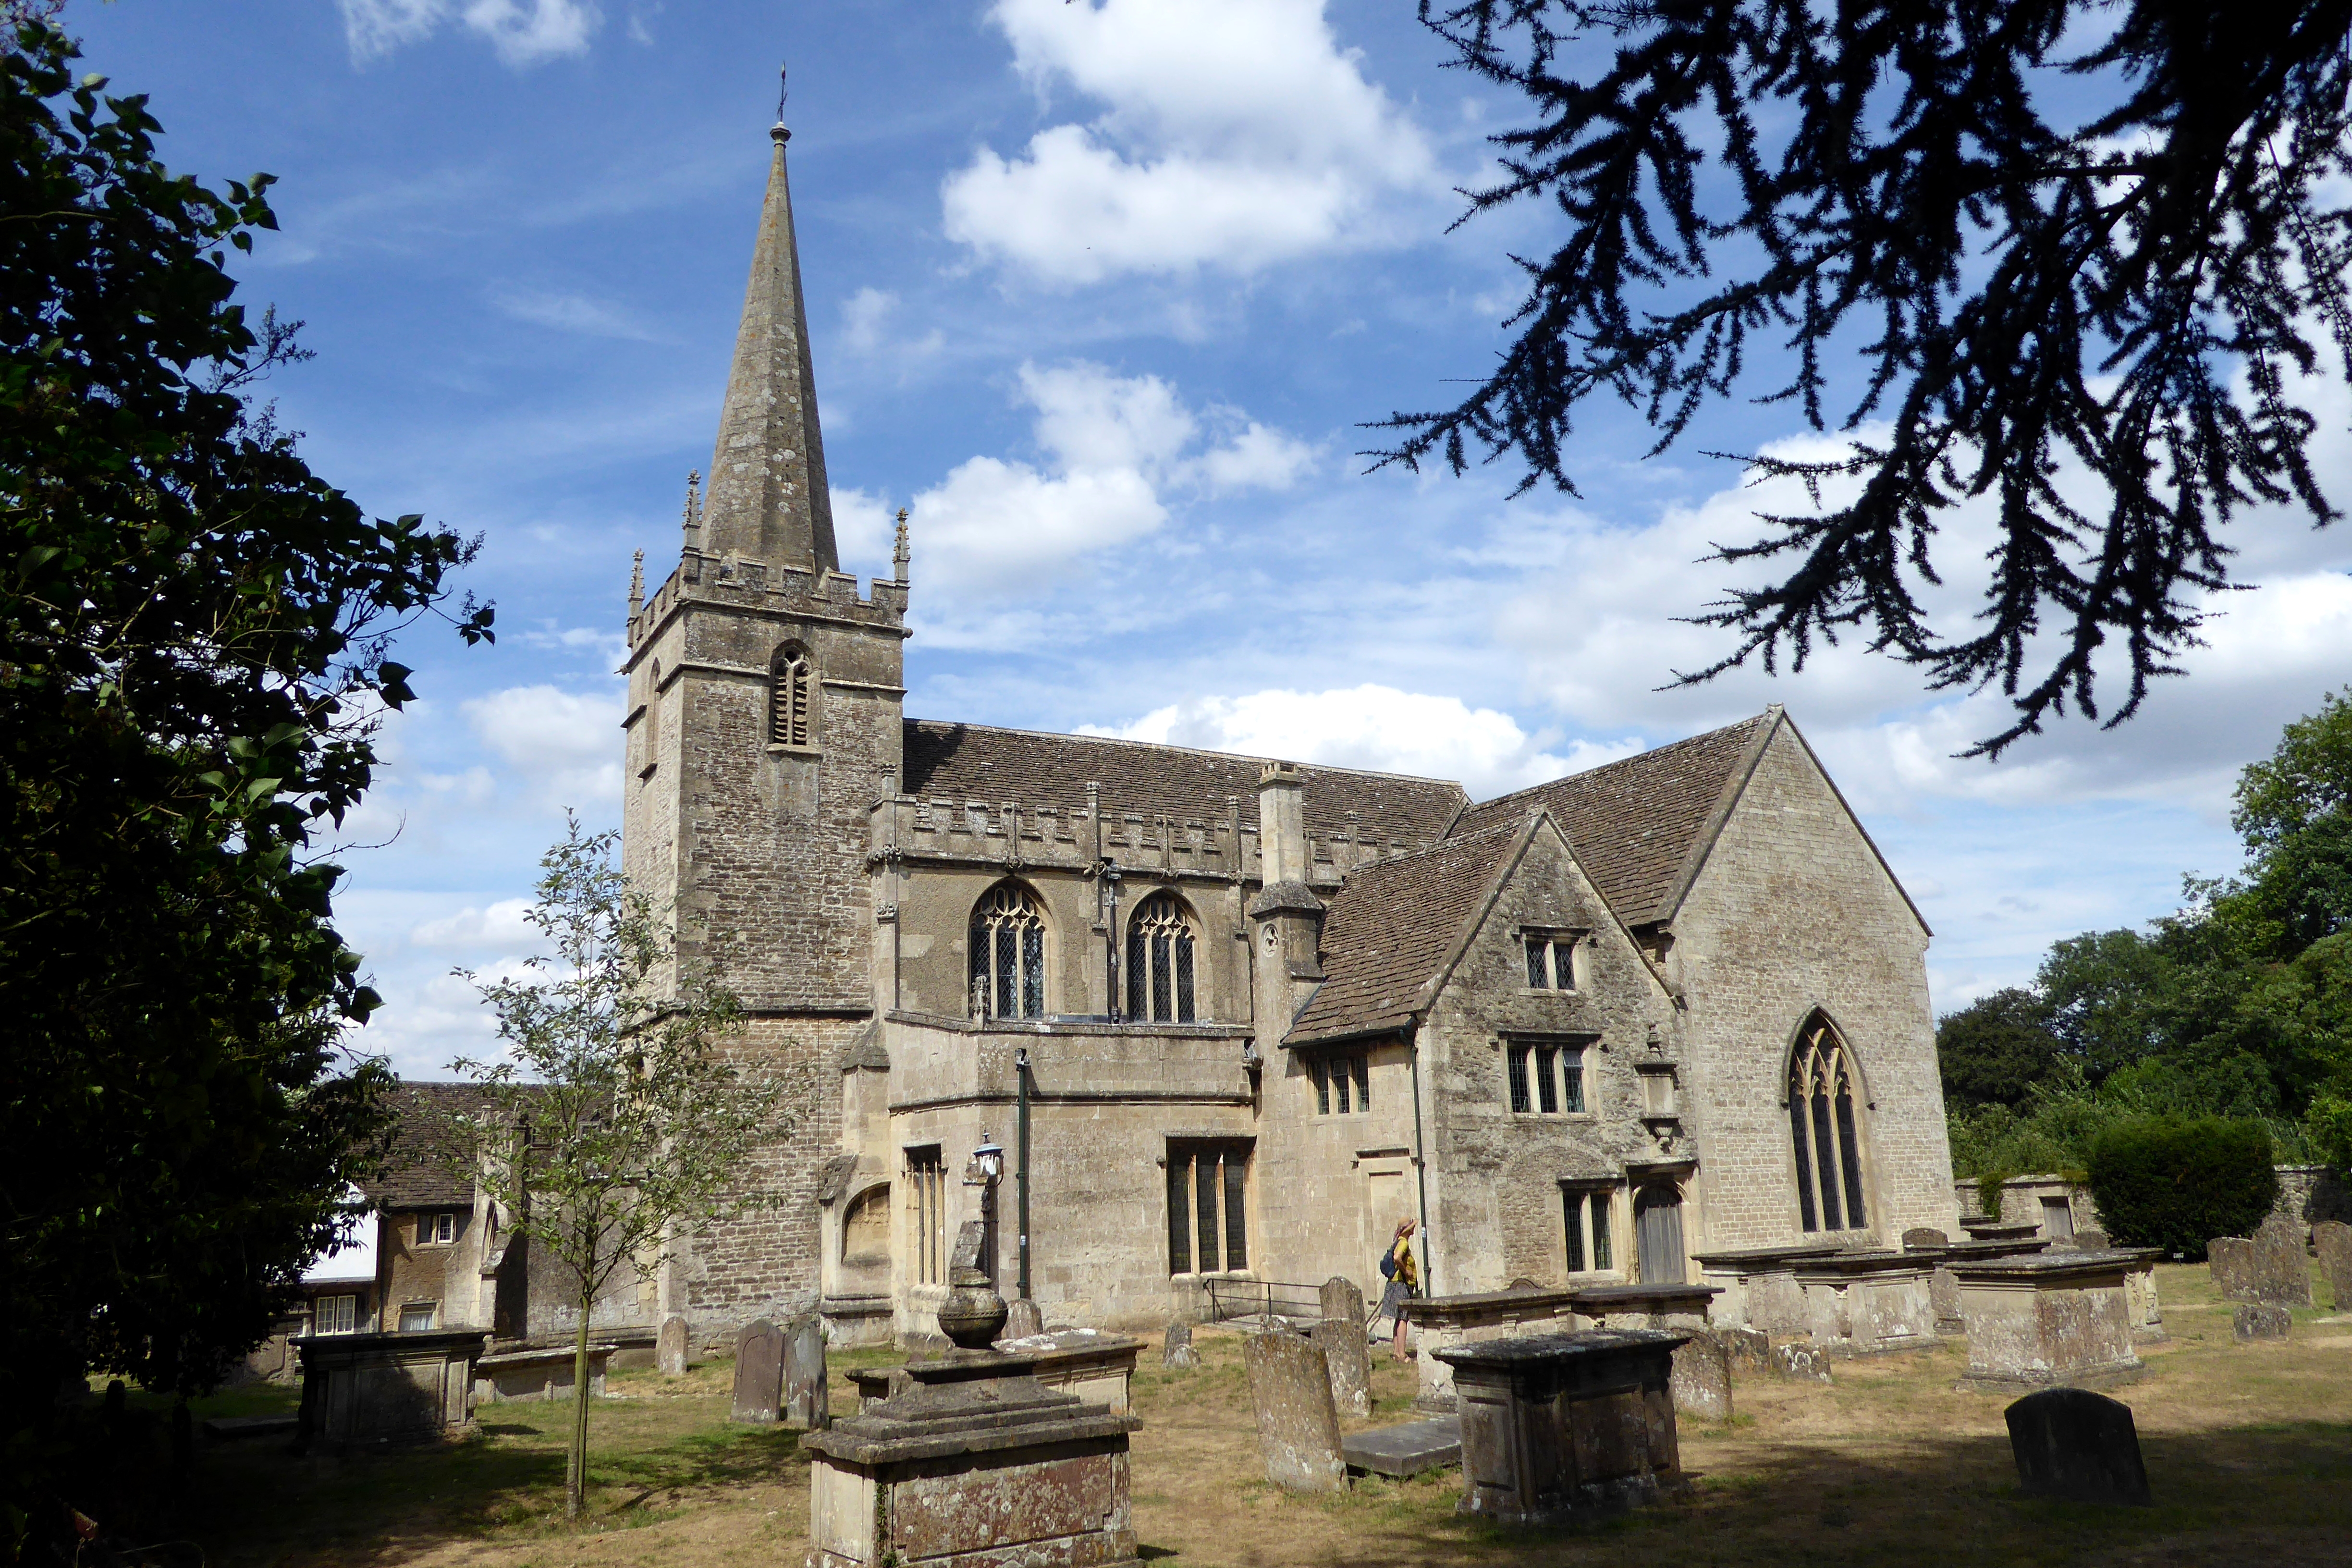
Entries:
{"x":1372,"y":728}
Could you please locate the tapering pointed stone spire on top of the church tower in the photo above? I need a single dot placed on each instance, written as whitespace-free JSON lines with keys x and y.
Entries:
{"x":768,"y":478}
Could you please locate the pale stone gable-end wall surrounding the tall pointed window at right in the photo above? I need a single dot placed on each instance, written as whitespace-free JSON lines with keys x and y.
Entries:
{"x":1793,"y":913}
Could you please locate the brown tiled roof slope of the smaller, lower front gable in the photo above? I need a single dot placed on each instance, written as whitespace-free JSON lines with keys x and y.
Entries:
{"x":1391,"y":927}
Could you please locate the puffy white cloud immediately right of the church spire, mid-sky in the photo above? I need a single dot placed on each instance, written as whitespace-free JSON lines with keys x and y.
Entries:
{"x":1116,"y":455}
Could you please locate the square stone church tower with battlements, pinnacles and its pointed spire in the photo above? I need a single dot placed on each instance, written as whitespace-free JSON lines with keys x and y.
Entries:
{"x":763,"y":725}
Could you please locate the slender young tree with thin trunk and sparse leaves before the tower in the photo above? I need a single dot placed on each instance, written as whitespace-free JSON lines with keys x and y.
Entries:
{"x":634,"y":1120}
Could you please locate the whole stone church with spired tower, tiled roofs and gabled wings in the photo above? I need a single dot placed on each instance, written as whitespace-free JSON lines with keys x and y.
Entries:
{"x":1250,"y":1012}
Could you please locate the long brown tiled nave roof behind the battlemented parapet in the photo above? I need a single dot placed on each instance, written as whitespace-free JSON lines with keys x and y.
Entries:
{"x":1041,"y":770}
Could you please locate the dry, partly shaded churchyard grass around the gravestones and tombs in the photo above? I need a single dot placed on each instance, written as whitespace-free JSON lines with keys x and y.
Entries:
{"x":2250,"y":1456}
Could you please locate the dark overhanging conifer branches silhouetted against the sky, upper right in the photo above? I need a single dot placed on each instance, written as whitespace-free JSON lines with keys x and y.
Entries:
{"x":2054,"y":234}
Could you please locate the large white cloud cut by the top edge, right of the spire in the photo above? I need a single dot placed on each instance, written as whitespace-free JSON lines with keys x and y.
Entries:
{"x":1236,"y":135}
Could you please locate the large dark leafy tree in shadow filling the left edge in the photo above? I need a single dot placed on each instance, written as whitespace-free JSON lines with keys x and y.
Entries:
{"x":194,"y":641}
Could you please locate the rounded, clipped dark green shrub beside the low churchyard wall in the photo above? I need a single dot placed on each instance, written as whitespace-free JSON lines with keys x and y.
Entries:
{"x":2177,"y":1184}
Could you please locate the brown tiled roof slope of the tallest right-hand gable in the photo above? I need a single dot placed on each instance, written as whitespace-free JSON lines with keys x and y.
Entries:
{"x":1638,"y":822}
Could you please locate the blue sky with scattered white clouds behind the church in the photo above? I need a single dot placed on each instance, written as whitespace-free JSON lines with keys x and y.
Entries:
{"x":1102,"y":290}
